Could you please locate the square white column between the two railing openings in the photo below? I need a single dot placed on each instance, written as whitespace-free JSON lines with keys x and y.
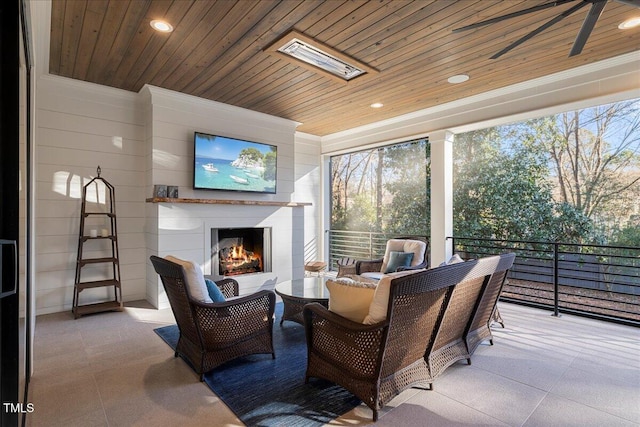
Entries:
{"x":441,"y":195}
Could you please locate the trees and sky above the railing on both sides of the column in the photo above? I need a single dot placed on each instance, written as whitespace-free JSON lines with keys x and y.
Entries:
{"x":573,"y":177}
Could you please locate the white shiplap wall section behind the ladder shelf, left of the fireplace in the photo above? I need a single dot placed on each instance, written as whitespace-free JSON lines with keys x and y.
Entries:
{"x":78,"y":127}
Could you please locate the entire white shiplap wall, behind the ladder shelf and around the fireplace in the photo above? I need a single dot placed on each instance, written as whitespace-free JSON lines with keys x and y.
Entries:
{"x":144,"y":139}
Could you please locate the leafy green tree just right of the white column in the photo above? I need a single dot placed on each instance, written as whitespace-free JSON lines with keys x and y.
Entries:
{"x":505,"y":193}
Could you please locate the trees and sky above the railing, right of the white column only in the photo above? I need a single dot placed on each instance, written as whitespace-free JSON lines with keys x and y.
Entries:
{"x":570,"y":177}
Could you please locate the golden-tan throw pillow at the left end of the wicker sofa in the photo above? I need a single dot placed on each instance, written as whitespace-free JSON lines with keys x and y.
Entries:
{"x":350,"y":298}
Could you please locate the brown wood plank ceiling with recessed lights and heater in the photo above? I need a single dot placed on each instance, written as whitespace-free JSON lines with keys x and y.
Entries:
{"x":217,"y":51}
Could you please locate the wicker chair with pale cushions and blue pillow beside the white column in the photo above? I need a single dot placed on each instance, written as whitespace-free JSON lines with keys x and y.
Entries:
{"x":395,"y":256}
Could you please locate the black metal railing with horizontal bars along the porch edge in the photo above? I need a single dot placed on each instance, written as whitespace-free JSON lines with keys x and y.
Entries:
{"x":597,"y":281}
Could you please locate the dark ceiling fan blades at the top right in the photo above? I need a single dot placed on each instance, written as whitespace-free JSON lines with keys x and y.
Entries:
{"x":587,"y":26}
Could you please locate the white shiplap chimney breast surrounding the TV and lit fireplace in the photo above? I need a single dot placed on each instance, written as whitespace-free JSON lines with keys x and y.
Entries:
{"x":182,"y":227}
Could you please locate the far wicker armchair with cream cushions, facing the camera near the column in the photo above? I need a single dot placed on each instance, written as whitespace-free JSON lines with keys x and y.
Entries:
{"x":377,"y":266}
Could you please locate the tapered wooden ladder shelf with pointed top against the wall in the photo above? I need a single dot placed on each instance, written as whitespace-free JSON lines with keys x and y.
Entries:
{"x":91,"y":238}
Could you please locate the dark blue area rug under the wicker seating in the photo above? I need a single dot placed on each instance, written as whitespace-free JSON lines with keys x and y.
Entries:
{"x":266,"y":392}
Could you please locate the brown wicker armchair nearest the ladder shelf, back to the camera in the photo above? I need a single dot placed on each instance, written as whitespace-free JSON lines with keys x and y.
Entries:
{"x":214,"y":333}
